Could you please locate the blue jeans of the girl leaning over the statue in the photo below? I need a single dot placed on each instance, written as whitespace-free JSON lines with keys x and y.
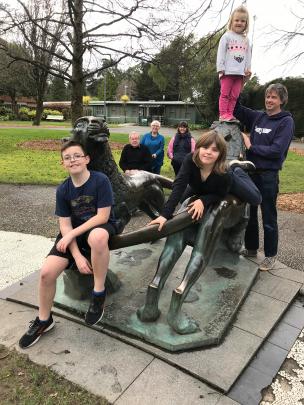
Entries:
{"x":244,"y":188}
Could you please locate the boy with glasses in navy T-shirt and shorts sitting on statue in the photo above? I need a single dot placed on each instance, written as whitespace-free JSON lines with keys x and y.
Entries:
{"x":84,"y":206}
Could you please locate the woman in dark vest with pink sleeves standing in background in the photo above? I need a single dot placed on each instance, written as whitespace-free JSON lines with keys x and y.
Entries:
{"x":180,"y":145}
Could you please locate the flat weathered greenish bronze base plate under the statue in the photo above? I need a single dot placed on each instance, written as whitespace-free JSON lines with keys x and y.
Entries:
{"x":213,"y":301}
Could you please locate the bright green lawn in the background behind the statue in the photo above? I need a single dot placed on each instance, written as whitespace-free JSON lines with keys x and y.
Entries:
{"x":26,"y":166}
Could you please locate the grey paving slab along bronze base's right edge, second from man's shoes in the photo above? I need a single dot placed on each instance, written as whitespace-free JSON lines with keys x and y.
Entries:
{"x":255,"y":316}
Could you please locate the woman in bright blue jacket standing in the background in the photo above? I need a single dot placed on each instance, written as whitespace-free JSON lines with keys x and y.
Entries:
{"x":155,"y":143}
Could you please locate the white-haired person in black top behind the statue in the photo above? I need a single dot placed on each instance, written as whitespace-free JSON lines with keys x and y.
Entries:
{"x":135,"y":156}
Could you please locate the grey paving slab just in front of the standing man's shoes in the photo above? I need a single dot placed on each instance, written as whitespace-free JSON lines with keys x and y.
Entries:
{"x":272,"y":286}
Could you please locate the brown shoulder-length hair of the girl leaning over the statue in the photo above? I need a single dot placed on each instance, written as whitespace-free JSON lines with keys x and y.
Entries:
{"x":205,"y":141}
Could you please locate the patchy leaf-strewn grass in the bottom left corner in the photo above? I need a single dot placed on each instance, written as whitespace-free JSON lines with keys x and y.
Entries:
{"x":24,"y":382}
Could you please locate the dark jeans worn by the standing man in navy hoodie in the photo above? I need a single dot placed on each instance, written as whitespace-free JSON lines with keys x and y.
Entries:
{"x":268,"y":184}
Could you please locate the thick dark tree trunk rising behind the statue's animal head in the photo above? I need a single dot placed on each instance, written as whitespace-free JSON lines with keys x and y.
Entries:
{"x":77,"y":62}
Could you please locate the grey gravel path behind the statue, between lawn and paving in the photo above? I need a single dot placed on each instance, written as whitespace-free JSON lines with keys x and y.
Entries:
{"x":30,"y":209}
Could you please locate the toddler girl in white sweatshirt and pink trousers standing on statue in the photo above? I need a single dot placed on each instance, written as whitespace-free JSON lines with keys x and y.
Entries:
{"x":233,"y":61}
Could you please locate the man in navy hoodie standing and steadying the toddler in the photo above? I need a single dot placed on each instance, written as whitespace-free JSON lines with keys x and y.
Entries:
{"x":270,"y":135}
